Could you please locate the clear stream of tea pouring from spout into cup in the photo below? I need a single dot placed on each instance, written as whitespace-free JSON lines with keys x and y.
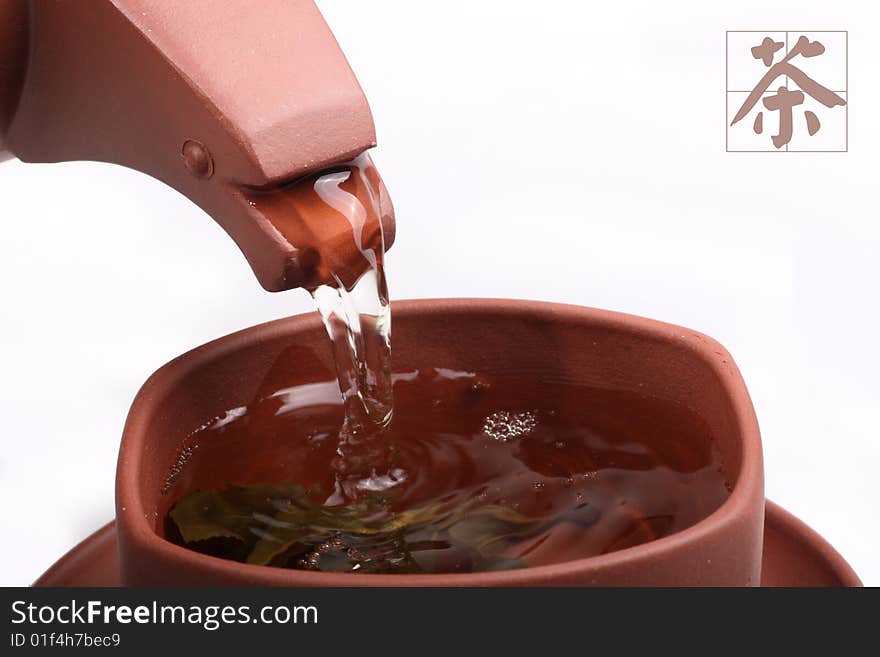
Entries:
{"x":335,"y":219}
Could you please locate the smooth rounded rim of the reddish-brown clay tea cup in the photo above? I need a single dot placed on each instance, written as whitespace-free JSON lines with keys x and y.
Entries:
{"x":136,"y":529}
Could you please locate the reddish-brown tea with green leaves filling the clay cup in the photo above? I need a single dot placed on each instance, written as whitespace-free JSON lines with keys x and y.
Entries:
{"x":474,"y":474}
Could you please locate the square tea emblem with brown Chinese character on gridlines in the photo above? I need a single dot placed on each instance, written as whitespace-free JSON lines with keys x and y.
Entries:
{"x":787,"y":91}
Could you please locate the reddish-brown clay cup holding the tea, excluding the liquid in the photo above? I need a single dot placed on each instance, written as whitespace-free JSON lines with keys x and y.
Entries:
{"x":513,"y":339}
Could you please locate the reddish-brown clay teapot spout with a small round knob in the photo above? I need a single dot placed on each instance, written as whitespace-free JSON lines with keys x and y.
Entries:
{"x":258,"y":95}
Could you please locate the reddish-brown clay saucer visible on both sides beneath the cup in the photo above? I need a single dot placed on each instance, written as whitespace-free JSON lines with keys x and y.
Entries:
{"x":794,"y":555}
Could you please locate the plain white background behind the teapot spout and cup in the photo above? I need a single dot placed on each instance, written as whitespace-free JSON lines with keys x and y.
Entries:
{"x":564,"y":151}
